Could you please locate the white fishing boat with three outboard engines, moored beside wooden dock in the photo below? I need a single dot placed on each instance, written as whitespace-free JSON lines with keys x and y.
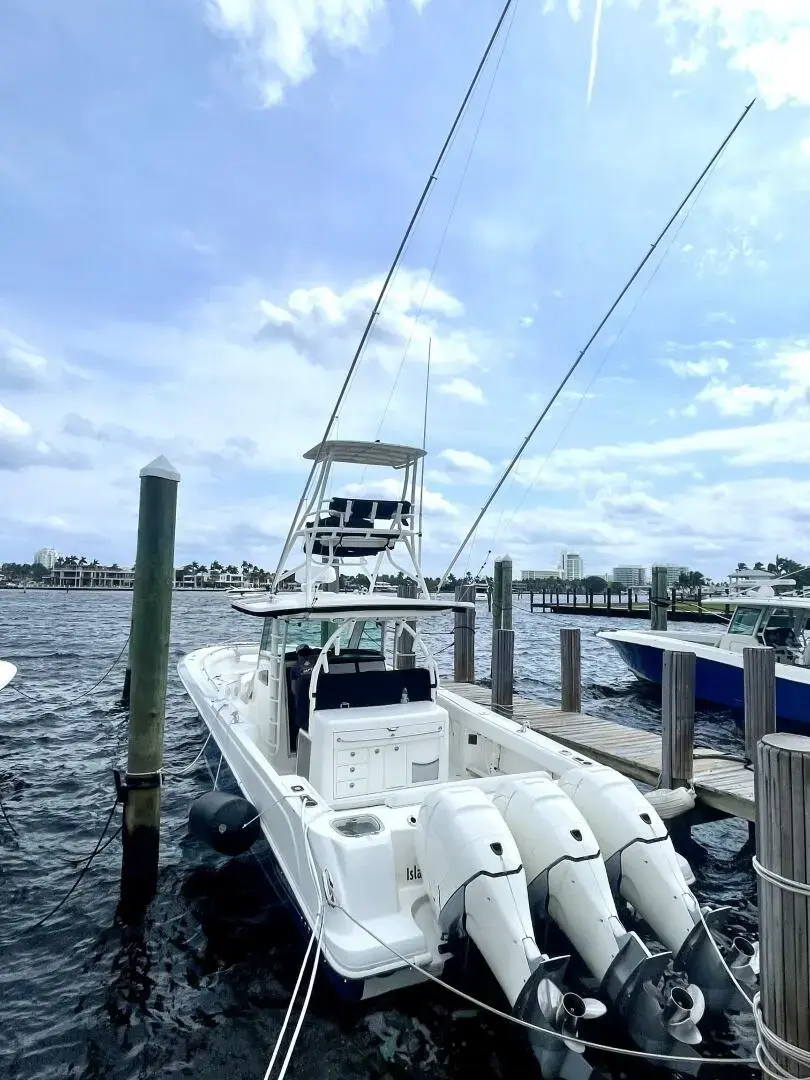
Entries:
{"x":409,"y":822}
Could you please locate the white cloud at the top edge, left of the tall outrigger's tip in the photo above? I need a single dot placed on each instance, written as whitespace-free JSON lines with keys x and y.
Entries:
{"x":278,"y":38}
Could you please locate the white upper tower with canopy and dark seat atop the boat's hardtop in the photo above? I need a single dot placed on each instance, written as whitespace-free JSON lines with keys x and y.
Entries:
{"x":340,"y":531}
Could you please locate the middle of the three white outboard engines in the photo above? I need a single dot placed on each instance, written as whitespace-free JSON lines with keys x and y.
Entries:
{"x":568,"y":883}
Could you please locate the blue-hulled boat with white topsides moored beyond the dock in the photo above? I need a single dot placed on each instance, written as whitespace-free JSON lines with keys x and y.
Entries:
{"x":762,"y":617}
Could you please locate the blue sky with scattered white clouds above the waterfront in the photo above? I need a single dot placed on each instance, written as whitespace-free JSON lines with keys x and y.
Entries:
{"x":199,"y":201}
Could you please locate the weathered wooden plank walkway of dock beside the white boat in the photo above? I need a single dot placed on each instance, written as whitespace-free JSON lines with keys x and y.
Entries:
{"x":725,"y":786}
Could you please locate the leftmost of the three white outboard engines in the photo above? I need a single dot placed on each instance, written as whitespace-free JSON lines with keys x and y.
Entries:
{"x":475,"y":879}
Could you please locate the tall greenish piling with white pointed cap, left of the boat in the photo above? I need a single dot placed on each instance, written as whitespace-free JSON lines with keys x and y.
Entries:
{"x":152,"y":618}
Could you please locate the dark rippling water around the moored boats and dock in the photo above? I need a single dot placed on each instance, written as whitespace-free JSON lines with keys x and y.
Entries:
{"x":202,"y":993}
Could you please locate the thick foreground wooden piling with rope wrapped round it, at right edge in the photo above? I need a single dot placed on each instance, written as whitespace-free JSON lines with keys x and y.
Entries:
{"x":782,"y":778}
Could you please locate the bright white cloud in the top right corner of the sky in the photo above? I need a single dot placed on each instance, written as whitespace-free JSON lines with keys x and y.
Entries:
{"x":767,"y":39}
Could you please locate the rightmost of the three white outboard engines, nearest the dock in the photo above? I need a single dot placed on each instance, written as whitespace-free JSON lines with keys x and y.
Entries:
{"x":644,"y":869}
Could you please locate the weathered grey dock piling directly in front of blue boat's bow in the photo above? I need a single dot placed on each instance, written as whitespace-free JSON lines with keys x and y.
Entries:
{"x":678,"y":719}
